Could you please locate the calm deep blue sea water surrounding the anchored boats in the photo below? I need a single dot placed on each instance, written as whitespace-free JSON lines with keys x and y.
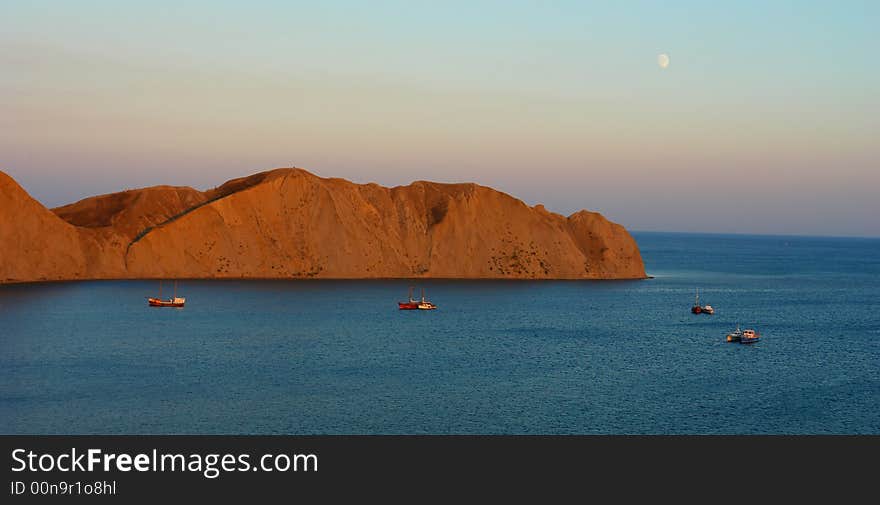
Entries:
{"x":497,"y":357}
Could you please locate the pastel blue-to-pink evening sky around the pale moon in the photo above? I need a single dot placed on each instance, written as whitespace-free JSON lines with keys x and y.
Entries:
{"x":765,"y":121}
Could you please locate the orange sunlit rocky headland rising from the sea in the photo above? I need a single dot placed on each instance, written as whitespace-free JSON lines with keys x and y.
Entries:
{"x":289,"y":223}
